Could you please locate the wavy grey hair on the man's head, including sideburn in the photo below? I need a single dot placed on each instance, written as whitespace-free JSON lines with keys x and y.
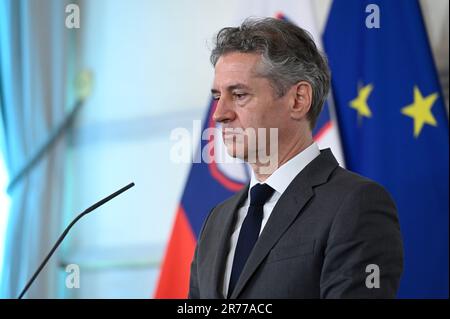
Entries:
{"x":288,"y":56}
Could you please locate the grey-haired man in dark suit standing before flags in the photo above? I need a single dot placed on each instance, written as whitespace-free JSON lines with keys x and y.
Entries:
{"x":304,"y":228}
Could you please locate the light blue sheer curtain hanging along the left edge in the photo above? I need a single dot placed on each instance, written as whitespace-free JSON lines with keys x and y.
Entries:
{"x":34,"y":51}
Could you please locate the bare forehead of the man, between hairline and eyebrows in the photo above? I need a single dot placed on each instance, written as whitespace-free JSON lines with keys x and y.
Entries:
{"x":236,"y":66}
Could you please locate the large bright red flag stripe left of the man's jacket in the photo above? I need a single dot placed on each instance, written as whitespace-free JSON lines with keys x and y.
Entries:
{"x":174,"y":276}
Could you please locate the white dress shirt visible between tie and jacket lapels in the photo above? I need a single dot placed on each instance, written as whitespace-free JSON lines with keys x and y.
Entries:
{"x":279,"y":181}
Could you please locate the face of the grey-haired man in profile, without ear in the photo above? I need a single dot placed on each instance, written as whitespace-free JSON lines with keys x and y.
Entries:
{"x":247,"y":102}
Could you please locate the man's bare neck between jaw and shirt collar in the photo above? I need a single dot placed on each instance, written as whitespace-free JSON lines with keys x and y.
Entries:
{"x":290,"y":150}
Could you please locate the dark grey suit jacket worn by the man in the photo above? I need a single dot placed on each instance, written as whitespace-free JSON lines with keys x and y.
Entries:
{"x":326,"y":228}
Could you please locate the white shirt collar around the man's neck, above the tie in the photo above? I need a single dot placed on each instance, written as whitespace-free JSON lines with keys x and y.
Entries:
{"x":285,"y":174}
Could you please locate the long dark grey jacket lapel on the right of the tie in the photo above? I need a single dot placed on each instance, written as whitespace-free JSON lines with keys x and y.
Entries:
{"x":288,"y":207}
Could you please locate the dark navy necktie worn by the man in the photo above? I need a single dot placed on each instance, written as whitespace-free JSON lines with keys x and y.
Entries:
{"x":250,"y":229}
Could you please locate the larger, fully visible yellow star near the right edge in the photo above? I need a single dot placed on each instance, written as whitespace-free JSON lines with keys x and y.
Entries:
{"x":420,"y":110}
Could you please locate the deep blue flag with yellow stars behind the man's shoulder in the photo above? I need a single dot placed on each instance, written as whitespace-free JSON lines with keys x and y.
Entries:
{"x":394,"y":126}
